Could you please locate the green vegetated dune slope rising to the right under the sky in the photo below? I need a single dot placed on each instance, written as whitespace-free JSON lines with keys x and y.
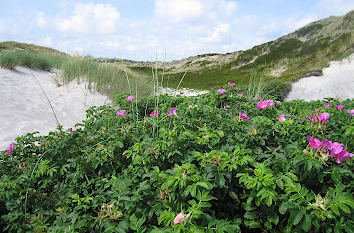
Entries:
{"x":288,"y":58}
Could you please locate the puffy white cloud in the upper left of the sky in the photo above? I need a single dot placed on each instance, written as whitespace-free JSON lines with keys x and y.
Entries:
{"x":86,"y":19}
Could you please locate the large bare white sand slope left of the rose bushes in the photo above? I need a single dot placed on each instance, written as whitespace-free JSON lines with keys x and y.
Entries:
{"x":24,"y":108}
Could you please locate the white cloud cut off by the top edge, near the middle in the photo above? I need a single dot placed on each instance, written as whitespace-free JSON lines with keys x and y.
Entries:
{"x":191,"y":10}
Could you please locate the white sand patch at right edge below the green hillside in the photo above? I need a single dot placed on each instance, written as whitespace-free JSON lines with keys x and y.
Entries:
{"x":337,"y":82}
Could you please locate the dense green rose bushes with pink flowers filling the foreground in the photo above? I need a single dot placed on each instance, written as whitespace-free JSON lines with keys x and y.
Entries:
{"x":179,"y":164}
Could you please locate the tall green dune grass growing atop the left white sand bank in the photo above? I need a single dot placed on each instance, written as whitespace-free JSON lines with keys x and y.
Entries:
{"x":103,"y":78}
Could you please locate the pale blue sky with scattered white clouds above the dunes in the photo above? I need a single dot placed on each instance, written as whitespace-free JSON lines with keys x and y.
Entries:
{"x":149,"y":30}
